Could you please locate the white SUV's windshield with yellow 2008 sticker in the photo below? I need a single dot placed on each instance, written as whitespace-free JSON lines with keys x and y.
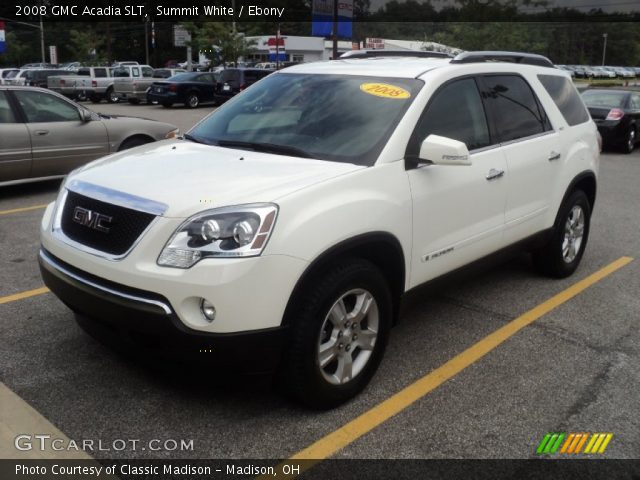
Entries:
{"x":341,"y":118}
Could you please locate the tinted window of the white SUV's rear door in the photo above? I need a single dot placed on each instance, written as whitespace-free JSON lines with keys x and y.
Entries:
{"x":516,"y":111}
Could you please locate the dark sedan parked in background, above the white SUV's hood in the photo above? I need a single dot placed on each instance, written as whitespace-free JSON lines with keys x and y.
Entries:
{"x":190,"y":88}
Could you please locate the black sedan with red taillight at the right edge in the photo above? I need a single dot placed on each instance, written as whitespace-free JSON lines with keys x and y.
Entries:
{"x":617,"y":116}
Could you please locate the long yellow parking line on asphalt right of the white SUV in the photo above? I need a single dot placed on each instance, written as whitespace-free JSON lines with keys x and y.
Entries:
{"x":337,"y":440}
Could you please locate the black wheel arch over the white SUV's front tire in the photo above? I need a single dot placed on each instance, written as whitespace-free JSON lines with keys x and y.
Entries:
{"x":380,"y":248}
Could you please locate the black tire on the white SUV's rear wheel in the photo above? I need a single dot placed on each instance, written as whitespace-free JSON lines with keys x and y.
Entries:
{"x":552,"y":259}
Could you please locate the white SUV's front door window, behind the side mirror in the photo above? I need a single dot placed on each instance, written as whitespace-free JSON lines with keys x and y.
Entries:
{"x":456,"y":112}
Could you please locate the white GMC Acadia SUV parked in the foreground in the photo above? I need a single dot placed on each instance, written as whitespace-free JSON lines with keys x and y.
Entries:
{"x":282,"y":231}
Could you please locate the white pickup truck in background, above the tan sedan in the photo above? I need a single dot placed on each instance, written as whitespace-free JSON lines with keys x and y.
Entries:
{"x":94,"y":83}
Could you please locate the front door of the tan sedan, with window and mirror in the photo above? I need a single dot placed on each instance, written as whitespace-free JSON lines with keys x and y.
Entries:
{"x":60,"y":140}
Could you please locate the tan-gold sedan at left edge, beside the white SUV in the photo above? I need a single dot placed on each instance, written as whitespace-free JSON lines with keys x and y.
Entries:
{"x":44,"y":135}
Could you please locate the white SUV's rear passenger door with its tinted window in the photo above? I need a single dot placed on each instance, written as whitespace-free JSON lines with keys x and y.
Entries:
{"x":532,"y":148}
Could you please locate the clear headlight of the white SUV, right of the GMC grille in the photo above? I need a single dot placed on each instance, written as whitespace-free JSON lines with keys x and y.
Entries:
{"x":240,"y":231}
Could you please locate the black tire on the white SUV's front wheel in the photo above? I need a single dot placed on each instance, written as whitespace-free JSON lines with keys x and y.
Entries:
{"x":301,"y":376}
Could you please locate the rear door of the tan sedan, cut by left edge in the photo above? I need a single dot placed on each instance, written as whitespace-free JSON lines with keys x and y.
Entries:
{"x":15,"y":144}
